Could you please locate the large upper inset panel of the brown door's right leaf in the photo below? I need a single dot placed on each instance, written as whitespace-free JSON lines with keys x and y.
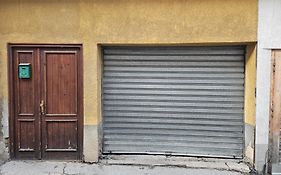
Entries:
{"x":61,"y":83}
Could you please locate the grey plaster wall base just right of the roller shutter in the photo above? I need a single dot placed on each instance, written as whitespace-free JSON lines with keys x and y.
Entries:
{"x":249,"y":143}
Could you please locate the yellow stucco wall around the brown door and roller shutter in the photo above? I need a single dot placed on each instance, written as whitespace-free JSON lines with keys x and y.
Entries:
{"x":93,"y":22}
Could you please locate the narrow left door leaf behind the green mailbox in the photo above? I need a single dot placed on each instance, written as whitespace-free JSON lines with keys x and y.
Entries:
{"x":26,"y":114}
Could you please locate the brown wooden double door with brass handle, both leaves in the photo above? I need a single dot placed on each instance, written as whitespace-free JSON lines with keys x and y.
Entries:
{"x":46,"y":109}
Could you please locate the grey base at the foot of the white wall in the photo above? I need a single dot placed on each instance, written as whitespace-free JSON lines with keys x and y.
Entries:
{"x":261,"y":156}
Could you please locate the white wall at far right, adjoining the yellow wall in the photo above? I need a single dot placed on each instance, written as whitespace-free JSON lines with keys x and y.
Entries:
{"x":269,"y":32}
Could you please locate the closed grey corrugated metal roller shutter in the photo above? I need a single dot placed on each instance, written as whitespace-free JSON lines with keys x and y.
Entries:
{"x":173,"y":100}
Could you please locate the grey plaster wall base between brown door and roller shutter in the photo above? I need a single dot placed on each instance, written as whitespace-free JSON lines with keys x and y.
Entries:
{"x":91,"y":143}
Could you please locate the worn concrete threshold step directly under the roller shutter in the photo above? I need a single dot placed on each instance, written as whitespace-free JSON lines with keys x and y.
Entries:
{"x":237,"y":165}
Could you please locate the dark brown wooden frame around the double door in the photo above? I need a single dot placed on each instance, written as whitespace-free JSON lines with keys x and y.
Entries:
{"x":11,"y":102}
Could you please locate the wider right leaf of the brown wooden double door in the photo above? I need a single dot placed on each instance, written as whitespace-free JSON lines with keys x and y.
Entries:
{"x":60,"y":92}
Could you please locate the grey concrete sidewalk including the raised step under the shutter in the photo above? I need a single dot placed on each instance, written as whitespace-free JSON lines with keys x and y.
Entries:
{"x":129,"y":165}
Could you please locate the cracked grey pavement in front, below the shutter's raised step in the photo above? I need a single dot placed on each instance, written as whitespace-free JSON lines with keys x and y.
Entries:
{"x":77,"y":168}
